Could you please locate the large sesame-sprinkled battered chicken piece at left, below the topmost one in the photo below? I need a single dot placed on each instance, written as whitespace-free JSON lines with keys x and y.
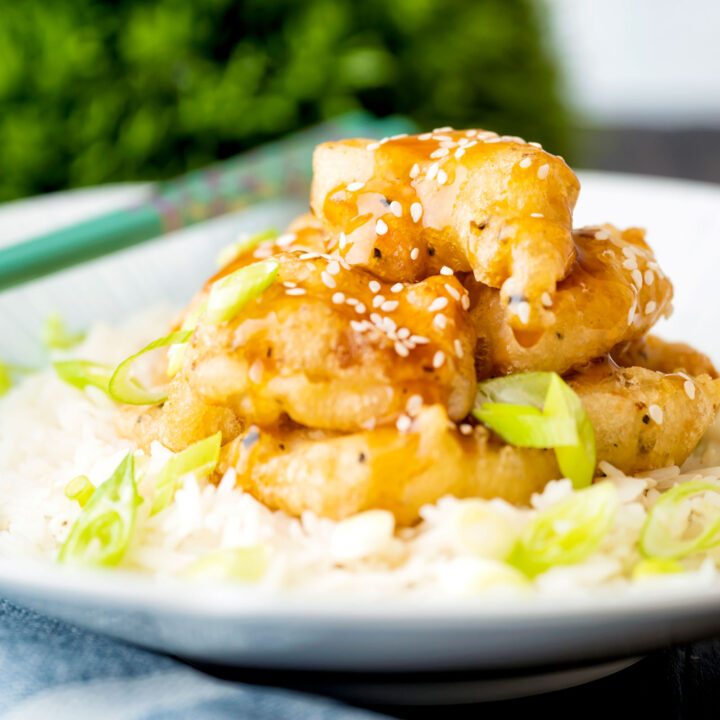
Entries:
{"x":330,"y":347}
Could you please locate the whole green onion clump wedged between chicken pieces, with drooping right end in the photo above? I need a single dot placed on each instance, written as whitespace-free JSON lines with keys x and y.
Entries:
{"x":540,"y":410}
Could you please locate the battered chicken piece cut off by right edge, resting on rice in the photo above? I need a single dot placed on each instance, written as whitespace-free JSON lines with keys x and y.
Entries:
{"x":644,"y":419}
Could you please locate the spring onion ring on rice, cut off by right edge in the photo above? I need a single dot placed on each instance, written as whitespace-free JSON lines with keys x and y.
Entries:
{"x":665,"y":532}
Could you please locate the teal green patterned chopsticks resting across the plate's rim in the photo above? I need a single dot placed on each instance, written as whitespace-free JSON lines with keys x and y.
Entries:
{"x":278,"y":169}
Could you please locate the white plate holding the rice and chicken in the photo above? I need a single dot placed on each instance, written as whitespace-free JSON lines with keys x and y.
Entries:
{"x":239,"y":626}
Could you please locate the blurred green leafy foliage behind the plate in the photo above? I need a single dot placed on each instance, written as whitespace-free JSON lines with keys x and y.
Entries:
{"x":94,"y":91}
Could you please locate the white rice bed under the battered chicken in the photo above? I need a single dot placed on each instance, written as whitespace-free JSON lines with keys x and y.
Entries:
{"x":51,"y":432}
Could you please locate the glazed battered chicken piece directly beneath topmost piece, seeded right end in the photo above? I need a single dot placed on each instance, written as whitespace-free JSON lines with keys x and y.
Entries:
{"x":614,"y":293}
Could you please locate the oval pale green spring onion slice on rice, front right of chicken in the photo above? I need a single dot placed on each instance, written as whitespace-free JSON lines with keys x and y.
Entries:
{"x":567,"y":532}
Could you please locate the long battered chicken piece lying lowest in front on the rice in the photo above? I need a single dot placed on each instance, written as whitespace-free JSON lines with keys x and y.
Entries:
{"x":337,"y":475}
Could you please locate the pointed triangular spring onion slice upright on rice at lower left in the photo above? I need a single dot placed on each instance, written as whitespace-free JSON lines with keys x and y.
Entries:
{"x":102,"y":532}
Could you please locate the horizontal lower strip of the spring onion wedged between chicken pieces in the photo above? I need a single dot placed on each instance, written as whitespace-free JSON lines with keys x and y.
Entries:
{"x":526,"y":426}
